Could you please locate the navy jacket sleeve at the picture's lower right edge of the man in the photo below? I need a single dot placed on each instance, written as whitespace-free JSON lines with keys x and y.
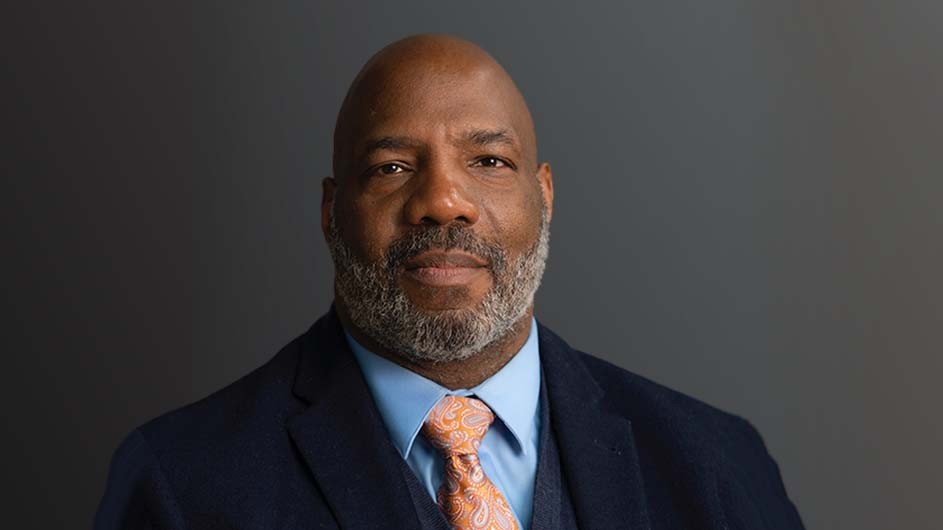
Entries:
{"x":754,"y":494}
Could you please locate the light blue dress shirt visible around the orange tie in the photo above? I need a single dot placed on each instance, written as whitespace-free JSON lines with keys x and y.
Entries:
{"x":509,"y":450}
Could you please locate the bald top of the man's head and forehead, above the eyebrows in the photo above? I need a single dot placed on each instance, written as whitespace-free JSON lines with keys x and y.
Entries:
{"x":426,"y":81}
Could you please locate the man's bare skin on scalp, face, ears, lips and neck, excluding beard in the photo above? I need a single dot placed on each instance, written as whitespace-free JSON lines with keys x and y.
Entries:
{"x":434,"y":132}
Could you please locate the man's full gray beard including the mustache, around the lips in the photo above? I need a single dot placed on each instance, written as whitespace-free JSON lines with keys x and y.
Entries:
{"x":378,"y":307}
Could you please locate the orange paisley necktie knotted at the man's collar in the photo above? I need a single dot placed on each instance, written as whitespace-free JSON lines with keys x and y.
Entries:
{"x":469,"y":500}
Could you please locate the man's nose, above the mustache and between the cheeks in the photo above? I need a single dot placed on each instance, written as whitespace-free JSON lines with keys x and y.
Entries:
{"x":440,"y":197}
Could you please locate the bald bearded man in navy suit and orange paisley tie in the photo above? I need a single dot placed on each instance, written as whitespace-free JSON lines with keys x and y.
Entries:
{"x":429,"y":396}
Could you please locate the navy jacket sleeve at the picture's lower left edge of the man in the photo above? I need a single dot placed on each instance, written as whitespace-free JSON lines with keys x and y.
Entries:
{"x":137,"y":495}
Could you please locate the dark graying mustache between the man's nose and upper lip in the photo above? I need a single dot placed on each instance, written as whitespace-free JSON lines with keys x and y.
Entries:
{"x":451,"y":237}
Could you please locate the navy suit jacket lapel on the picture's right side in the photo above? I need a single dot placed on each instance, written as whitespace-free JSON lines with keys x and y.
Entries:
{"x":597,"y":449}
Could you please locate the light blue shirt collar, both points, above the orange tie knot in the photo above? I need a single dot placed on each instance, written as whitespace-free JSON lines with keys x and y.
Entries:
{"x":404,"y":398}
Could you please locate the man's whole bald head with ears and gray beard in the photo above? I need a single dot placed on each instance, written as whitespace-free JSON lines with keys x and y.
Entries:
{"x":438,"y":213}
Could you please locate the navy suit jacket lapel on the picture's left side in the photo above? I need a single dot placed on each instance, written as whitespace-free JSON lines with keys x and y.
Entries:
{"x":342,"y":438}
